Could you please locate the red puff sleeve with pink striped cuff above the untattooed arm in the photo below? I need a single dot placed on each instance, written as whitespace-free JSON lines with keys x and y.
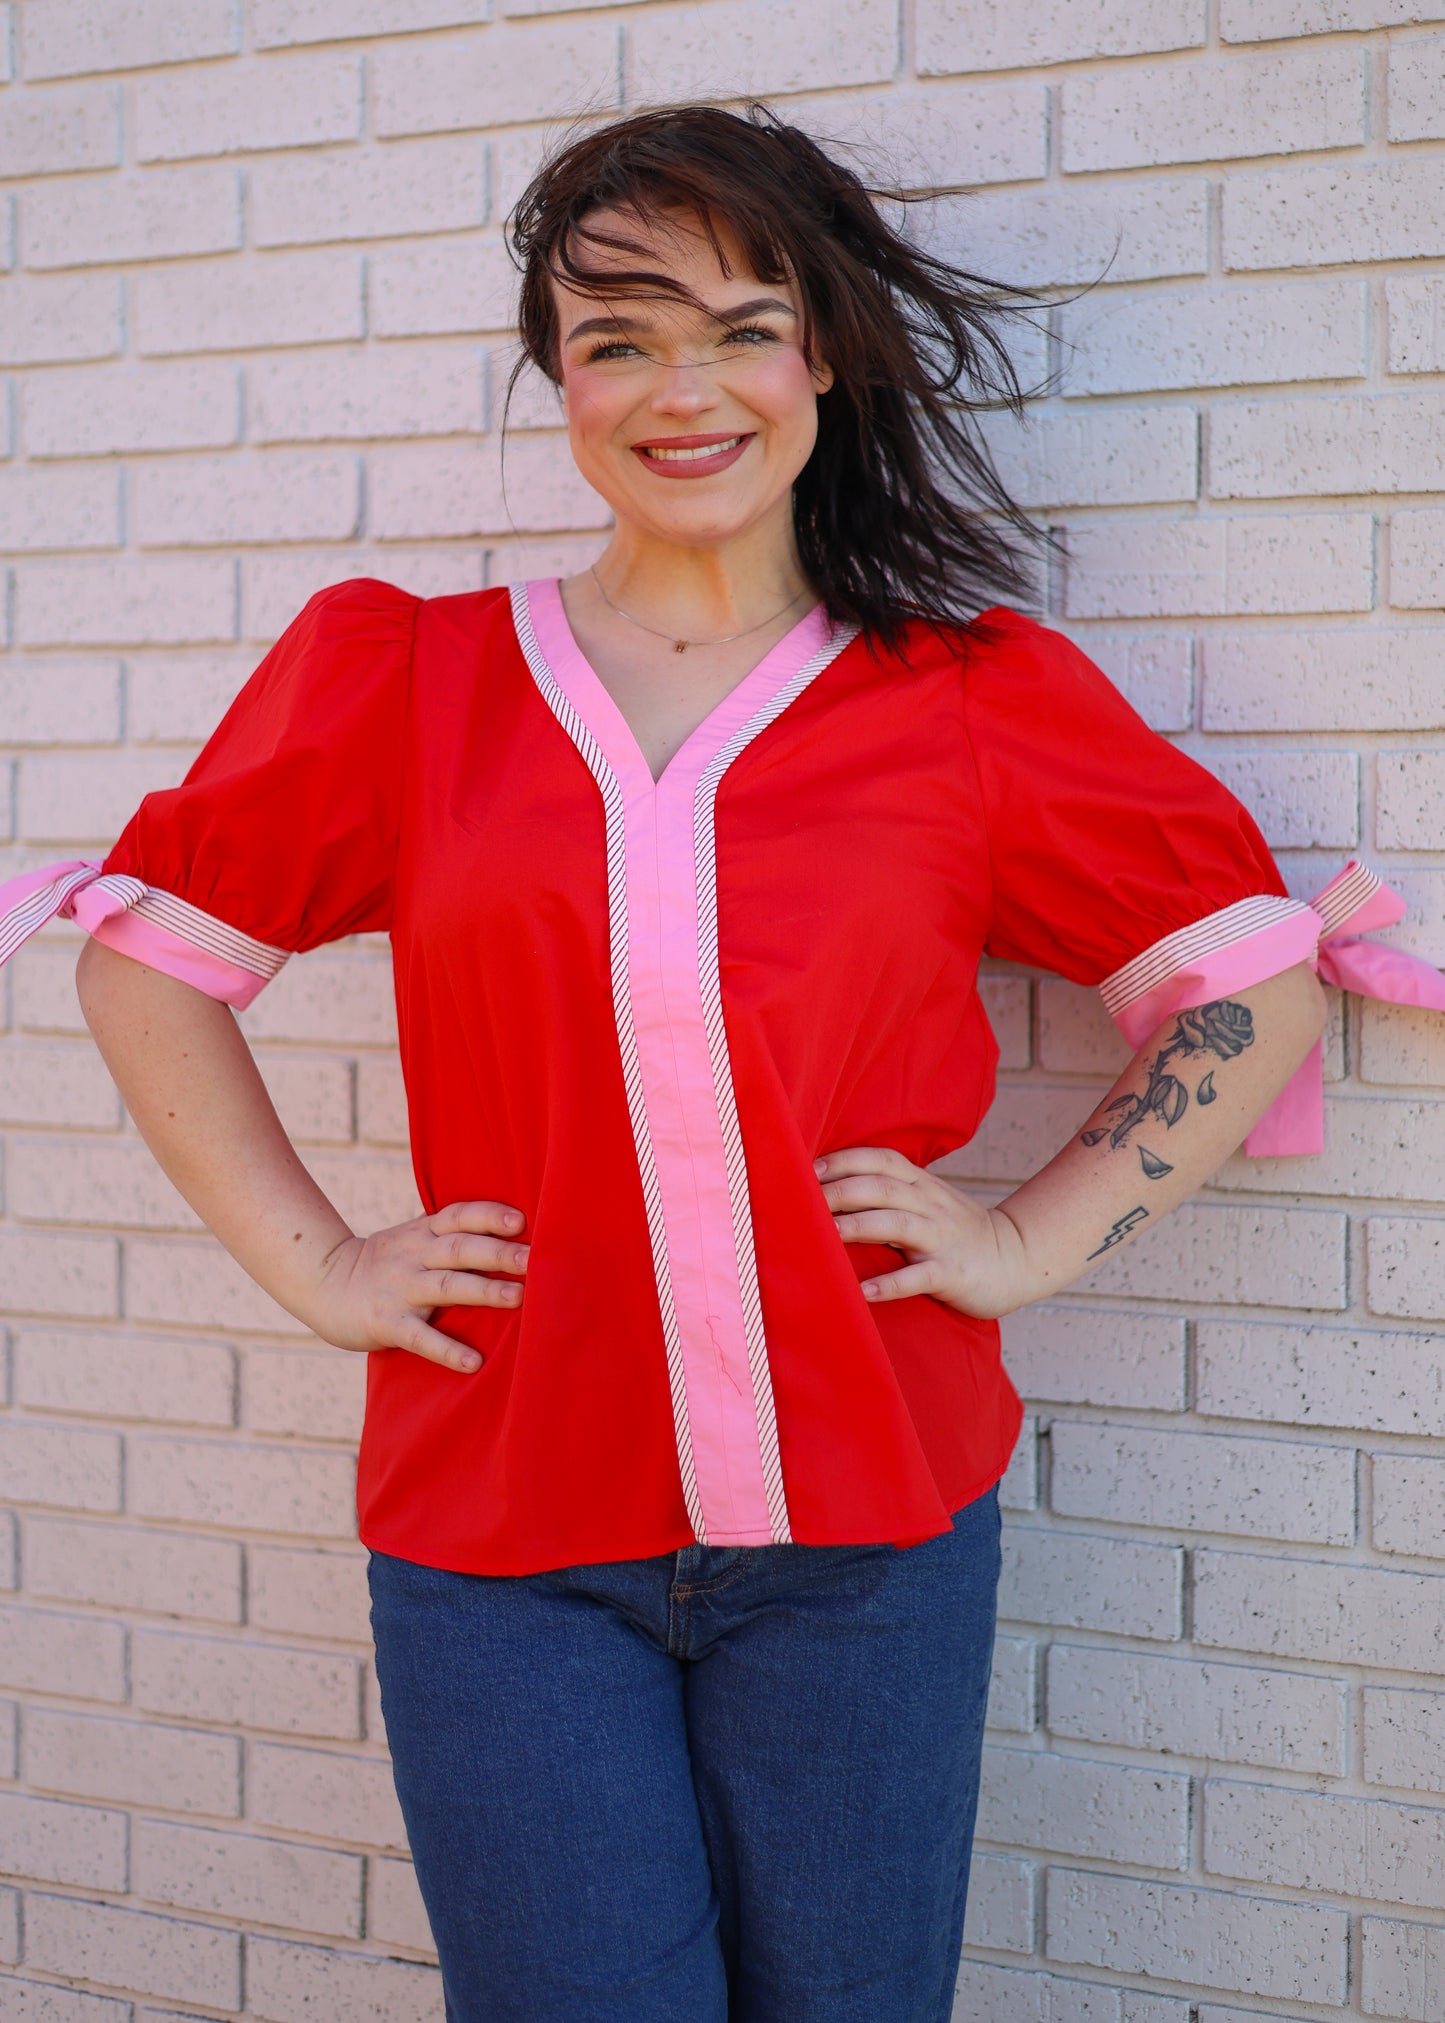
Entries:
{"x":284,"y":830}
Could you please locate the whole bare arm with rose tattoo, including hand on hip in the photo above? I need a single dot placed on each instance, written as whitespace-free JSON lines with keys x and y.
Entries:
{"x":1179,"y":1110}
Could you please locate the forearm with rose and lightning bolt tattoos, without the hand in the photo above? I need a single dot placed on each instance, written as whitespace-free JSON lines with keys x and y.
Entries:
{"x":1179,"y":1110}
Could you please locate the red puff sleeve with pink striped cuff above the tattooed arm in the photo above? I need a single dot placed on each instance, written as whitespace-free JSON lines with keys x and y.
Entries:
{"x":1116,"y":859}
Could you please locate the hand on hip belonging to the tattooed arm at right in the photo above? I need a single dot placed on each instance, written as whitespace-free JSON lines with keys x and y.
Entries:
{"x":960,"y":1253}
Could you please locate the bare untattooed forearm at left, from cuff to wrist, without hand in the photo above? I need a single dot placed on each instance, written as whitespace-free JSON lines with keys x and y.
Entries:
{"x":197,"y":1097}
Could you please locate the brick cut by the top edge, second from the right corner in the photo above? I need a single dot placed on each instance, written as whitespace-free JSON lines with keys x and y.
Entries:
{"x":954,"y":35}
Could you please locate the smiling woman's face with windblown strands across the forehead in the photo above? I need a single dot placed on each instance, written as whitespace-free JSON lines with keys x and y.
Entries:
{"x":693,"y":426}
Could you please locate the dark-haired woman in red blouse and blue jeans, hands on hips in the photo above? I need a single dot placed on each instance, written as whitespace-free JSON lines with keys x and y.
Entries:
{"x":685,"y":1401}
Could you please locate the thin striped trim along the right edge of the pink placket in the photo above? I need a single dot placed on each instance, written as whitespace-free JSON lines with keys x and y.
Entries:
{"x":711,"y":984}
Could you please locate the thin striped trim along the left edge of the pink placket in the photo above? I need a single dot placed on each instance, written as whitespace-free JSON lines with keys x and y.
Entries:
{"x":626,"y":1037}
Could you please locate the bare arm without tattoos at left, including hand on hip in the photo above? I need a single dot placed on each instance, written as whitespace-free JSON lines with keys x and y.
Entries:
{"x":193,"y":1089}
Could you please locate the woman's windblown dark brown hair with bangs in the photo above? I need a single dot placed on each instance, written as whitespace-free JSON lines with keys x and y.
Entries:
{"x":900,"y":511}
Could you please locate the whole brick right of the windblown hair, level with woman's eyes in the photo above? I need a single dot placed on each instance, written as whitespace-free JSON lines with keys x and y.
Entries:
{"x":1215,"y":337}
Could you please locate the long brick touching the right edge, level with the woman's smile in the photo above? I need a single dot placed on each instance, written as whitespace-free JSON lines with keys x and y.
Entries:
{"x":1298,"y":448}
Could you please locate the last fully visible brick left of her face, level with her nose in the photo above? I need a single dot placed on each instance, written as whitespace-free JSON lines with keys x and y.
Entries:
{"x":408,"y":391}
